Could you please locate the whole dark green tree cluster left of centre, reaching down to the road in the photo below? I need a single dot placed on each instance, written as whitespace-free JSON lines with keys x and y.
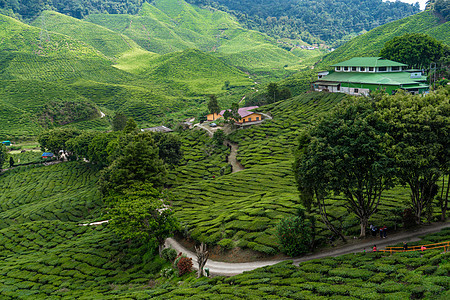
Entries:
{"x":134,"y":167}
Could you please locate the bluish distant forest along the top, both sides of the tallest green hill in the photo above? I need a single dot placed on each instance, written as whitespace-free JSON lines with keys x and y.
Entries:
{"x":312,"y":21}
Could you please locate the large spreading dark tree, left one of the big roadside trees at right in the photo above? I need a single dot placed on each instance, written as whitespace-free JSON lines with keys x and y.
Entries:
{"x":346,"y":155}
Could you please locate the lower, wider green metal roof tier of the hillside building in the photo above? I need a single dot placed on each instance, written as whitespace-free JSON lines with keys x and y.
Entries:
{"x":397,"y":78}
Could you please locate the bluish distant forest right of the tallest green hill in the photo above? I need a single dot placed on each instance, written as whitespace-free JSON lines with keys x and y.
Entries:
{"x":329,"y":20}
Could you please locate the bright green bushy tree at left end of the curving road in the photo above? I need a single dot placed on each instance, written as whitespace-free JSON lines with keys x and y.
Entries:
{"x":142,"y":213}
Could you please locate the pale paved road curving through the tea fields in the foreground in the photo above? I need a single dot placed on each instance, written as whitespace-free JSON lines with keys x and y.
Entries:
{"x":229,"y":269}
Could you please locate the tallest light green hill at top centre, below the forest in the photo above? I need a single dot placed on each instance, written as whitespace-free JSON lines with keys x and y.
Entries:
{"x":169,"y":25}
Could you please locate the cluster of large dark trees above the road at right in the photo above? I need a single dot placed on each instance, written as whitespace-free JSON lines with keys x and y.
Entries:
{"x":366,"y":146}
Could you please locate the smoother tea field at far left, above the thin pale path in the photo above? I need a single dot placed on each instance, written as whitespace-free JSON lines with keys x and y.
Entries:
{"x":65,"y":192}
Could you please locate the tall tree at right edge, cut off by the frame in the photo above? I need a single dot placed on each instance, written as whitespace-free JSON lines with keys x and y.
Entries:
{"x":420,"y":129}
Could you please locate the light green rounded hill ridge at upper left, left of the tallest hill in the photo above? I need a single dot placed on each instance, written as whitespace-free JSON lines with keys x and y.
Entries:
{"x":109,"y":43}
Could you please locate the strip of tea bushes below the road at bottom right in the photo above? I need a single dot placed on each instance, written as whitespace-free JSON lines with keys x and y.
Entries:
{"x":410,"y":275}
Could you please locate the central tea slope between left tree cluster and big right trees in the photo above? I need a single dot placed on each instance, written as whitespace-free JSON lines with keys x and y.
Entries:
{"x":242,"y":209}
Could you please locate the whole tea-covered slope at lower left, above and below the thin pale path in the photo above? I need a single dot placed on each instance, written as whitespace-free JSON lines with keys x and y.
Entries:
{"x":46,"y":254}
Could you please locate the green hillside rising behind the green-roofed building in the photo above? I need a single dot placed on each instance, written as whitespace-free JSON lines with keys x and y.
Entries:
{"x":370,"y":43}
